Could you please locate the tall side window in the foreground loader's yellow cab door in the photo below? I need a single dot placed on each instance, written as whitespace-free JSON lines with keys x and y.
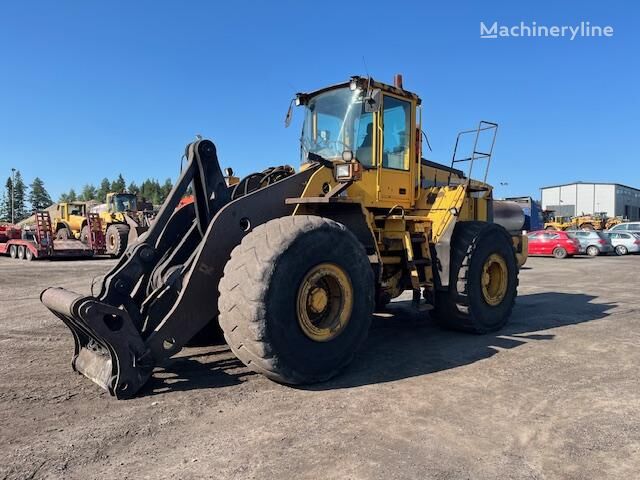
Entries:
{"x":397,"y":128}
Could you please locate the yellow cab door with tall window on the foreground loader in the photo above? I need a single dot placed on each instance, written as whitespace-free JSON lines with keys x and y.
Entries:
{"x":396,"y":151}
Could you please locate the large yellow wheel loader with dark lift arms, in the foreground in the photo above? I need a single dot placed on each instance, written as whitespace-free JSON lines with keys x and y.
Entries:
{"x":292,"y":264}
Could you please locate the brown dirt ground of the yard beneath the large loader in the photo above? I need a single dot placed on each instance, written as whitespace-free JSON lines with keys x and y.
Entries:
{"x":554,"y":395}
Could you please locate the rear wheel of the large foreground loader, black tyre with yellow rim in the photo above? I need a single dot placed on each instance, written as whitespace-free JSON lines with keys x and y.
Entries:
{"x":483,"y":282}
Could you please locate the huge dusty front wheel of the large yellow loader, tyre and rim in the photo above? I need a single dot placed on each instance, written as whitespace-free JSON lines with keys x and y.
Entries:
{"x":296,"y":299}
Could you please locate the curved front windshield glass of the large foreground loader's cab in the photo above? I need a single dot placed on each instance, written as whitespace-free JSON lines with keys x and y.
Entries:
{"x":334,"y":122}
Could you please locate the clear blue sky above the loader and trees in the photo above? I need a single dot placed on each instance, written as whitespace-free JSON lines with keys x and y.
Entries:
{"x":92,"y":89}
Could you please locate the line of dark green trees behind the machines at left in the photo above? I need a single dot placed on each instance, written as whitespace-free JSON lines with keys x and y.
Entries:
{"x":23,"y":200}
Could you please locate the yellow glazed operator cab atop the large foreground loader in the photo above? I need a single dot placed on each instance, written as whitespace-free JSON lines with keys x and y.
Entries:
{"x":370,"y":122}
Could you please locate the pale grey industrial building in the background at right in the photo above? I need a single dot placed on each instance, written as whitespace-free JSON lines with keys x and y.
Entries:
{"x":581,"y":198}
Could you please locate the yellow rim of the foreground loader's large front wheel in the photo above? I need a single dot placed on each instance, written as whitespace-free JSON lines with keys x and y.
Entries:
{"x":324,"y":302}
